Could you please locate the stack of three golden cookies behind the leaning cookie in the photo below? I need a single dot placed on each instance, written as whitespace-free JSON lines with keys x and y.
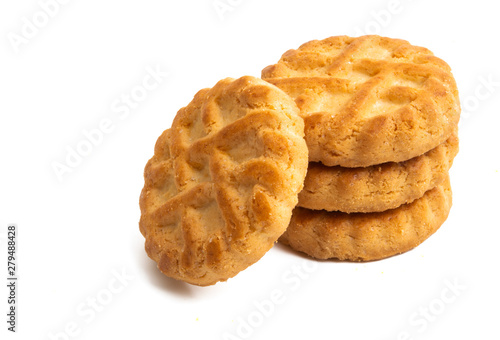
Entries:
{"x":381,"y":121}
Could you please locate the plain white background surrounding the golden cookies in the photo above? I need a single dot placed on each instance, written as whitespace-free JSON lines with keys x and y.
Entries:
{"x":78,"y":234}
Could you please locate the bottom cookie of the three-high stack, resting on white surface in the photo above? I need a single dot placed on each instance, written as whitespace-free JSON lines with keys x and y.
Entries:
{"x":368,"y":236}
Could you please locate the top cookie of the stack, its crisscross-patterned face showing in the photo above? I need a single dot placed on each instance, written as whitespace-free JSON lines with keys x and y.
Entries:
{"x":368,"y":100}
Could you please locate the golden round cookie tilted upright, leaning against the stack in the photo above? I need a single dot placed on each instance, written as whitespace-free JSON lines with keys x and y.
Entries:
{"x":223,"y":181}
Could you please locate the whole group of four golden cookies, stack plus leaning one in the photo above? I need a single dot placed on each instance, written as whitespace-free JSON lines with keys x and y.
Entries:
{"x":371,"y":120}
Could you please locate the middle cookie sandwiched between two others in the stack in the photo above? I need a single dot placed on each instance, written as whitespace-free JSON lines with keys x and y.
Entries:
{"x":377,"y":187}
